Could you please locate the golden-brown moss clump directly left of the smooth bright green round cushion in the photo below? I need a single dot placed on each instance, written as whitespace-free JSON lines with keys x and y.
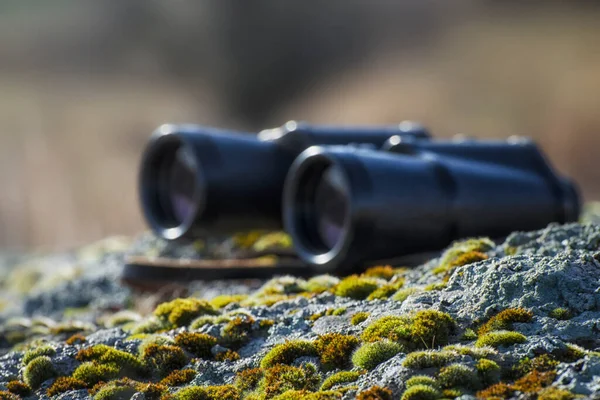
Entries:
{"x":335,"y":350}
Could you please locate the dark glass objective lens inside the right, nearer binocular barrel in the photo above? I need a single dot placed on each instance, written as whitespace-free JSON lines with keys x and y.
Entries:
{"x":331,"y":206}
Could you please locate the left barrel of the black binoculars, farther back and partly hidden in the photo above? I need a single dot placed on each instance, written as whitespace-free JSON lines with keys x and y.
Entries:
{"x":195,"y":179}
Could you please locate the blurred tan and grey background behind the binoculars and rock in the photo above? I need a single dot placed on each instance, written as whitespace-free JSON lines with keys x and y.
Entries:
{"x":84,"y":82}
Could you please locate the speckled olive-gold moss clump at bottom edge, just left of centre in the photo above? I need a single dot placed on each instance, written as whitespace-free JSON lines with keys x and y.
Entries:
{"x":281,"y":378}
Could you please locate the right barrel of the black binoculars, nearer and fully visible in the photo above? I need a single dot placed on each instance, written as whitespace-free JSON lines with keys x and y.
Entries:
{"x":344,"y":206}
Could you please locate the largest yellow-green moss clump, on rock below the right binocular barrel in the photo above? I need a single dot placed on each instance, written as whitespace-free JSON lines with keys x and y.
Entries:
{"x":425,"y":329}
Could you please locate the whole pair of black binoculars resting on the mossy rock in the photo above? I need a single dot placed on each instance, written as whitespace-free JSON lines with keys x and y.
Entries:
{"x":348,"y":195}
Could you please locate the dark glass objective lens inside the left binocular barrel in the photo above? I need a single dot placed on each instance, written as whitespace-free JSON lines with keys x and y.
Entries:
{"x":178,"y":185}
